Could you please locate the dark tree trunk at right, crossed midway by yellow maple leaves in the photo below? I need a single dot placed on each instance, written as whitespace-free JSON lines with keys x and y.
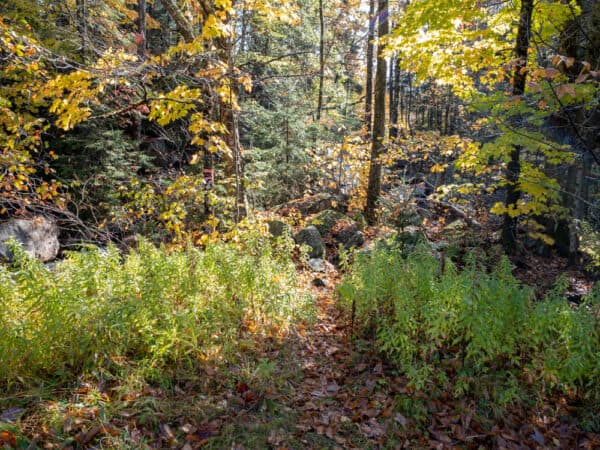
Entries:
{"x":513,"y":193}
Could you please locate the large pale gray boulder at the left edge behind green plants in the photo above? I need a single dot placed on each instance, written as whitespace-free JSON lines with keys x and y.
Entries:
{"x":38,"y":236}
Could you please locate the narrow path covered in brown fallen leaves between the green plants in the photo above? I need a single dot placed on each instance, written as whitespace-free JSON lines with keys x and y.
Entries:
{"x":338,"y":399}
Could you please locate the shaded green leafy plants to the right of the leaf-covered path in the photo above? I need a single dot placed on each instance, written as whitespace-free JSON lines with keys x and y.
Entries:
{"x":485,"y":330}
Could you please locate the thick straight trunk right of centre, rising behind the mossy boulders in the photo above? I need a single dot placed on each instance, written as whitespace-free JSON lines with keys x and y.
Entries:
{"x":377,"y":148}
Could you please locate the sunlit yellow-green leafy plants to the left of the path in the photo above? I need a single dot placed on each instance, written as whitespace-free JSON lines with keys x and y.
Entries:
{"x":153,"y":309}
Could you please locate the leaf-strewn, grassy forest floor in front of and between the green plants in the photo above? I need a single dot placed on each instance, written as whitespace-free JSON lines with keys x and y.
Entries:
{"x":316,"y":387}
